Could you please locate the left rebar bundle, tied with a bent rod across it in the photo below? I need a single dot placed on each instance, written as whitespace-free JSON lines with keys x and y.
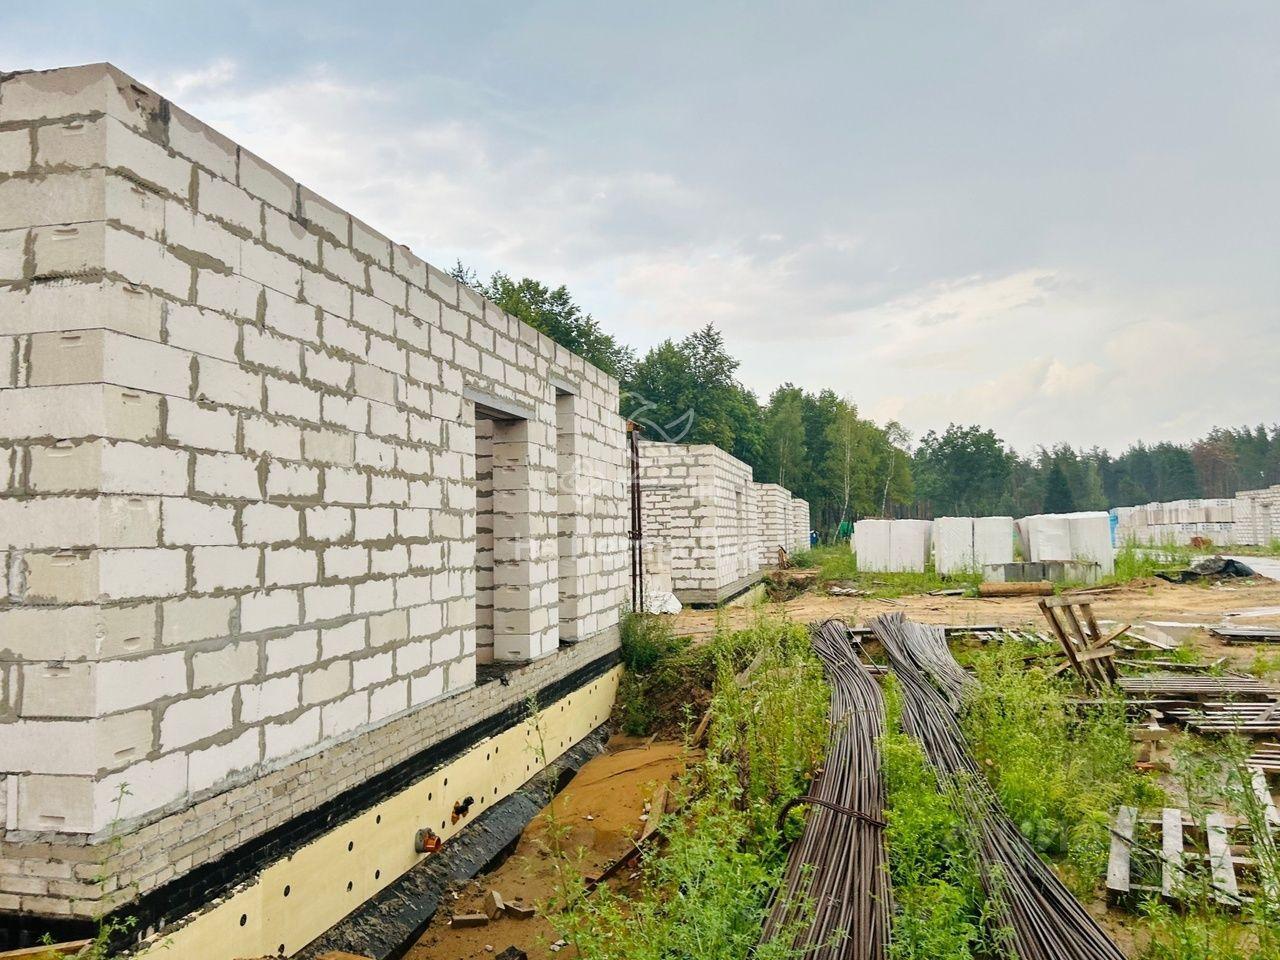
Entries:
{"x":835,"y":902}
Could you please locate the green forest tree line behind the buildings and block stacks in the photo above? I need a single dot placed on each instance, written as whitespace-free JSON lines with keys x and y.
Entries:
{"x":847,"y":467}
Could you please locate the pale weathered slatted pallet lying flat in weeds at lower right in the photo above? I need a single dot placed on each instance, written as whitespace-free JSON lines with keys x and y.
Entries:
{"x":1185,"y":849}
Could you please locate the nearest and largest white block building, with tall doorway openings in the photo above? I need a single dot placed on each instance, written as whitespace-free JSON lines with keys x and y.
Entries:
{"x":271,"y":490}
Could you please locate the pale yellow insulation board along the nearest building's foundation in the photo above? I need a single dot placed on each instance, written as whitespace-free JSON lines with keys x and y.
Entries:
{"x":298,"y":899}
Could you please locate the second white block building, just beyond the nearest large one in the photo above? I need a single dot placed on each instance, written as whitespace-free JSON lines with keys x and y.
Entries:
{"x":701,"y":520}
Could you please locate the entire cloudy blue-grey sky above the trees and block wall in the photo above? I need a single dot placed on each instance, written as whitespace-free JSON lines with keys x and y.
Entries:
{"x":1057,"y":220}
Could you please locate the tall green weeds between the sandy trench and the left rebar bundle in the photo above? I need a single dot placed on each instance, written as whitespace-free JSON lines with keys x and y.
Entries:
{"x":706,"y":895}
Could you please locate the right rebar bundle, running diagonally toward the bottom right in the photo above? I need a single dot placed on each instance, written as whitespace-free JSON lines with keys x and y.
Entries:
{"x":1037,"y":916}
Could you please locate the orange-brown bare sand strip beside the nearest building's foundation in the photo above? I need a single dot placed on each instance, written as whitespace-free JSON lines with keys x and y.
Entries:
{"x":600,"y":815}
